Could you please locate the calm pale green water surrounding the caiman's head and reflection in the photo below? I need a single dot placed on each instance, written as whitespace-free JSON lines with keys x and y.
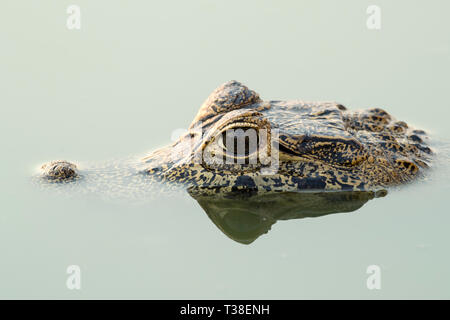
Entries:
{"x":136,"y":72}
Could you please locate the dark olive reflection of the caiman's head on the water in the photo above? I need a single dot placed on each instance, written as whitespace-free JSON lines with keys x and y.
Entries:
{"x":243,"y":218}
